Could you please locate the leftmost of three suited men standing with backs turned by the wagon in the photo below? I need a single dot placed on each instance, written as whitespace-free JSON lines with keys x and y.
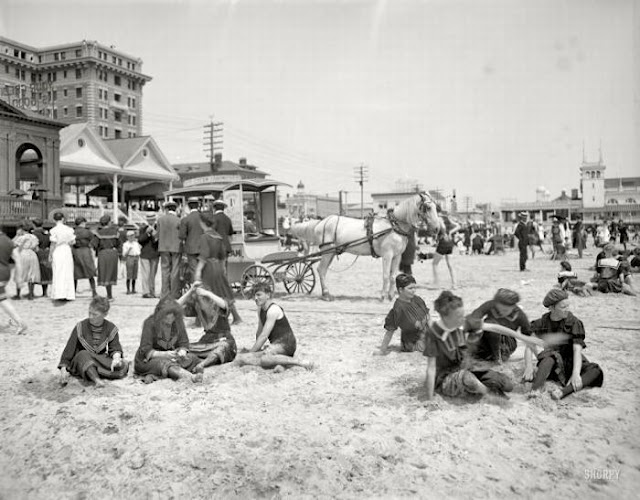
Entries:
{"x":168,"y":226}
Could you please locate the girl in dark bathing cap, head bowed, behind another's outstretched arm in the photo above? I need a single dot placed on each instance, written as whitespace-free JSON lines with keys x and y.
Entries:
{"x":502,"y":310}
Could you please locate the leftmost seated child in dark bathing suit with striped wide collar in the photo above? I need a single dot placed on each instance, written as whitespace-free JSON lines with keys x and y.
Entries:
{"x":93,"y":351}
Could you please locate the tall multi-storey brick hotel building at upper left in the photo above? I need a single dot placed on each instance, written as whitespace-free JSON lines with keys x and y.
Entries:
{"x":75,"y":83}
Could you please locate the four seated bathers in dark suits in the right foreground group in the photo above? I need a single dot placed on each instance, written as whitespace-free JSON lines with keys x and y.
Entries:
{"x":460,"y":348}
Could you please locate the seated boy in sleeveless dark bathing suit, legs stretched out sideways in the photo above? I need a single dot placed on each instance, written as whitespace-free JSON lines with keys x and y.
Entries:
{"x":273,"y":326}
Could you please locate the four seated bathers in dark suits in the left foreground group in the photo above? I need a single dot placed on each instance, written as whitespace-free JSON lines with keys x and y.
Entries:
{"x":93,"y":351}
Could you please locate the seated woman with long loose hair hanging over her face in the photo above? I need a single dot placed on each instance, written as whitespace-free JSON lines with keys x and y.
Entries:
{"x":164,"y":346}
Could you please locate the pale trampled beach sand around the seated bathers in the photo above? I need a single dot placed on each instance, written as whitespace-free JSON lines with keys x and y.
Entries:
{"x":354,"y":427}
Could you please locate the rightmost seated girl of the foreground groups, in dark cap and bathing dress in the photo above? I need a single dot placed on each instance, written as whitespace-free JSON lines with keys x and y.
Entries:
{"x":562,"y":363}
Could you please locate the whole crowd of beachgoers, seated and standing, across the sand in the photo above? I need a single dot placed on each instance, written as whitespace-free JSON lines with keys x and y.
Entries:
{"x":192,"y":252}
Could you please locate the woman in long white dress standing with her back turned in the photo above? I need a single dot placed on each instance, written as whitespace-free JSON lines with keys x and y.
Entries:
{"x":62,"y":238}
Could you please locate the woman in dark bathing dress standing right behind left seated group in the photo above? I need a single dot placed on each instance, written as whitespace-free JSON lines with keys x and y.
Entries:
{"x":210,"y":269}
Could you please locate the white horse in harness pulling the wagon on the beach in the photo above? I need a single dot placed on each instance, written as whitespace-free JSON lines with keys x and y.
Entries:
{"x":387,"y":238}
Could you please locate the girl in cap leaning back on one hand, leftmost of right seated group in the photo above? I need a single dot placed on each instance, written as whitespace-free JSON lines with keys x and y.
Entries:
{"x":409,"y":313}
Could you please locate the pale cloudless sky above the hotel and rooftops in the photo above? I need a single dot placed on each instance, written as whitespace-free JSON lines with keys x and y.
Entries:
{"x":490,"y":98}
